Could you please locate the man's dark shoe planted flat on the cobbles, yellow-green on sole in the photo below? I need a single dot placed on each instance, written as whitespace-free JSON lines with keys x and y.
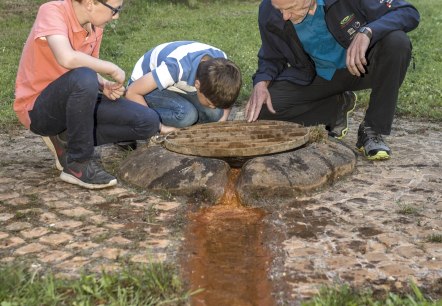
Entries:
{"x":371,"y":144}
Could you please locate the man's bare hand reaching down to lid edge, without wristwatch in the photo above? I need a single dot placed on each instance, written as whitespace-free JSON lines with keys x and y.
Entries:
{"x":260,"y":95}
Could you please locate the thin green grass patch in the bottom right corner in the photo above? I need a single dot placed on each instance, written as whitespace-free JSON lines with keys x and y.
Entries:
{"x":343,"y":295}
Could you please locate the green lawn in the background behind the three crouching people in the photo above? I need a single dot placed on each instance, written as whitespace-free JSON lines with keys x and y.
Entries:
{"x":229,"y":25}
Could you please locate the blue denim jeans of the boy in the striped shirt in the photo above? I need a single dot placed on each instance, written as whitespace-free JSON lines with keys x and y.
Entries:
{"x":181,"y":110}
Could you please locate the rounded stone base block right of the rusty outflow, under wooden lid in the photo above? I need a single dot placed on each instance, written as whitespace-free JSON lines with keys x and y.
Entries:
{"x":280,"y":178}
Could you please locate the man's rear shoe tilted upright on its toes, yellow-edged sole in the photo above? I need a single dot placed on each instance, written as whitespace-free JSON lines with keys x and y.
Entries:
{"x":348,"y":103}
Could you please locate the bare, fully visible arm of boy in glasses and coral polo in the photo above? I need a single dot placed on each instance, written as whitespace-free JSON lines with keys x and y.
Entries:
{"x":70,"y":59}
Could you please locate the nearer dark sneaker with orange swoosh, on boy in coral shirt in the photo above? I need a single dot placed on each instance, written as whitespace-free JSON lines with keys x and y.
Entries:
{"x":87,"y":174}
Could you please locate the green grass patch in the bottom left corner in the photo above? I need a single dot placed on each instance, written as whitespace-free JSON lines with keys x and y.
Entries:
{"x":152,"y":284}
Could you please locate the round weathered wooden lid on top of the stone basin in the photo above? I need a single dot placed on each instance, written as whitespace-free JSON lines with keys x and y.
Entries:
{"x":237,"y":138}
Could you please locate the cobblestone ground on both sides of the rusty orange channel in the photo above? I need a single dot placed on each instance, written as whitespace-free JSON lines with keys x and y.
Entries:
{"x":379,"y":226}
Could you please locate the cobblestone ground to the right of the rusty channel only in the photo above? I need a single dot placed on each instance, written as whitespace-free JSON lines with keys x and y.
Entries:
{"x":379,"y":227}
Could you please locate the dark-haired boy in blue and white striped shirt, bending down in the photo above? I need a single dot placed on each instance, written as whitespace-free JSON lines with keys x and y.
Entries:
{"x":185,"y":82}
